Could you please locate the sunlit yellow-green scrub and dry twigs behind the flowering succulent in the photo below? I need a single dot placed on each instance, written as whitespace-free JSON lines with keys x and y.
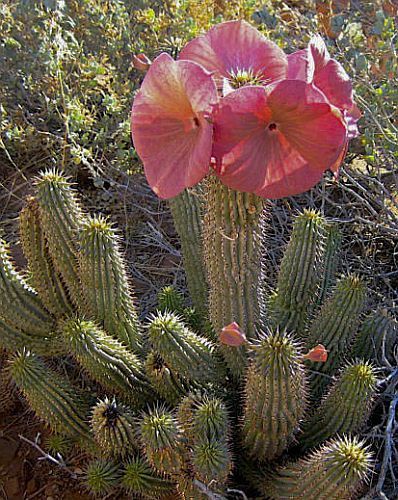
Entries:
{"x":66,"y":88}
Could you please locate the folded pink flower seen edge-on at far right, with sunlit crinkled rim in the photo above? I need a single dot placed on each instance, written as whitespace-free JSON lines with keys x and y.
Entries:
{"x":314,"y":65}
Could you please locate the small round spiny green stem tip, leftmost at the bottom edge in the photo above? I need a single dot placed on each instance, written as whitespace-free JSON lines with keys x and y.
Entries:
{"x":102,"y":477}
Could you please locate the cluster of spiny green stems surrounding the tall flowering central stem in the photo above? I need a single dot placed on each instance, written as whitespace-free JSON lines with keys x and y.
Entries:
{"x":166,"y":412}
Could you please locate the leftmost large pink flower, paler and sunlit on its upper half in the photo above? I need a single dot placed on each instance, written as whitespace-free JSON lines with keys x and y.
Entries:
{"x":170,"y":127}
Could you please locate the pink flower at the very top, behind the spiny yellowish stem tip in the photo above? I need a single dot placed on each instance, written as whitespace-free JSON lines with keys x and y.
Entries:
{"x":237,"y":53}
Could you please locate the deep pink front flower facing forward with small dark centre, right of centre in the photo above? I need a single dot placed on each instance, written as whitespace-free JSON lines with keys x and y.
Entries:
{"x":276,"y":141}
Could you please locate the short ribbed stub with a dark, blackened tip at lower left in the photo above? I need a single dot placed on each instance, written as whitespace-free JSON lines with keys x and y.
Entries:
{"x":113,"y":428}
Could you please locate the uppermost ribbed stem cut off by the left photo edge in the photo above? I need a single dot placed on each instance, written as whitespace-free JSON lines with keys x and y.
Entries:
{"x":20,"y":306}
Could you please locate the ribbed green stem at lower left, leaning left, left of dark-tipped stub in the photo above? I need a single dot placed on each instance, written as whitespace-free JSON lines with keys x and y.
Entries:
{"x":51,"y":396}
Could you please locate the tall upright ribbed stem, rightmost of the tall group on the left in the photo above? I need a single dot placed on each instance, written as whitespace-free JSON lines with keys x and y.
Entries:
{"x":106,"y":292}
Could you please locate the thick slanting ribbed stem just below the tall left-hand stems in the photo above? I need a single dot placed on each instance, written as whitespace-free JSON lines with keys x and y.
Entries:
{"x":107,"y":360}
